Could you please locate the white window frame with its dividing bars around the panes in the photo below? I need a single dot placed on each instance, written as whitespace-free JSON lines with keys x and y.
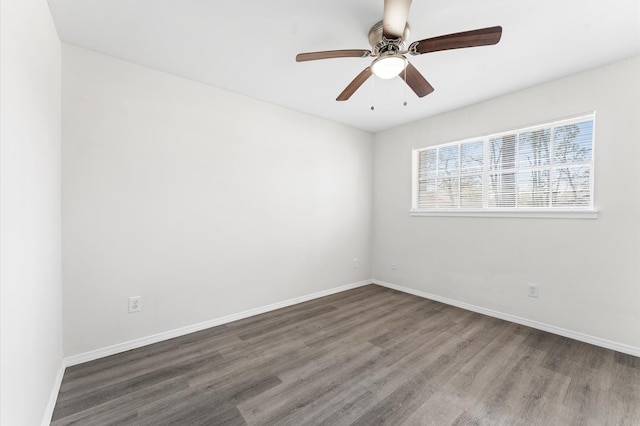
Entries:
{"x":575,"y":212}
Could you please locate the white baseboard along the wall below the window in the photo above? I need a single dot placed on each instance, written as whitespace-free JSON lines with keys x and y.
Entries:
{"x":620,"y":347}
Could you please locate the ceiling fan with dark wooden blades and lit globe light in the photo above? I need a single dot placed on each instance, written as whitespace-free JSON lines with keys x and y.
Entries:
{"x":388,"y":46}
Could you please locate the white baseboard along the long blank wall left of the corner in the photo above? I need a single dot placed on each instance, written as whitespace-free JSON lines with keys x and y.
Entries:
{"x":148,"y":340}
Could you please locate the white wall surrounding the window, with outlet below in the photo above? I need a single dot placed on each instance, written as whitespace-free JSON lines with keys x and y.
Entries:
{"x":587,"y":270}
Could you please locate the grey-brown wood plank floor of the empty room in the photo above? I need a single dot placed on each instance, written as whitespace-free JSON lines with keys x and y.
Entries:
{"x":367,"y":356}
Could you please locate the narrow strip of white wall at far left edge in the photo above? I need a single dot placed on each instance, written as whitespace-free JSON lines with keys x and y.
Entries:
{"x":31,"y":315}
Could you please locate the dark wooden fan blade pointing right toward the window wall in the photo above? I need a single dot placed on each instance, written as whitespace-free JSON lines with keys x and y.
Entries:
{"x":481,"y":37}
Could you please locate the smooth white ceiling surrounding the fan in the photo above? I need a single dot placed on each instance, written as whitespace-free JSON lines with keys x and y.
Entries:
{"x":249,"y":47}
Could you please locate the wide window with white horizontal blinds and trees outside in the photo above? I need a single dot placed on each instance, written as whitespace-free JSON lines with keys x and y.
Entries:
{"x":545,"y":170}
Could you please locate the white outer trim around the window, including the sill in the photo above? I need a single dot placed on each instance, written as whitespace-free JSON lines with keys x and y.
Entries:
{"x":546,"y":212}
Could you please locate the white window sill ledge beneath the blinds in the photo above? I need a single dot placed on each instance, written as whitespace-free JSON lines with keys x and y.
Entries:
{"x":532,"y":213}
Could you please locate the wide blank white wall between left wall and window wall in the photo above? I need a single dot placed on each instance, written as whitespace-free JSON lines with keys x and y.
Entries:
{"x":204,"y":202}
